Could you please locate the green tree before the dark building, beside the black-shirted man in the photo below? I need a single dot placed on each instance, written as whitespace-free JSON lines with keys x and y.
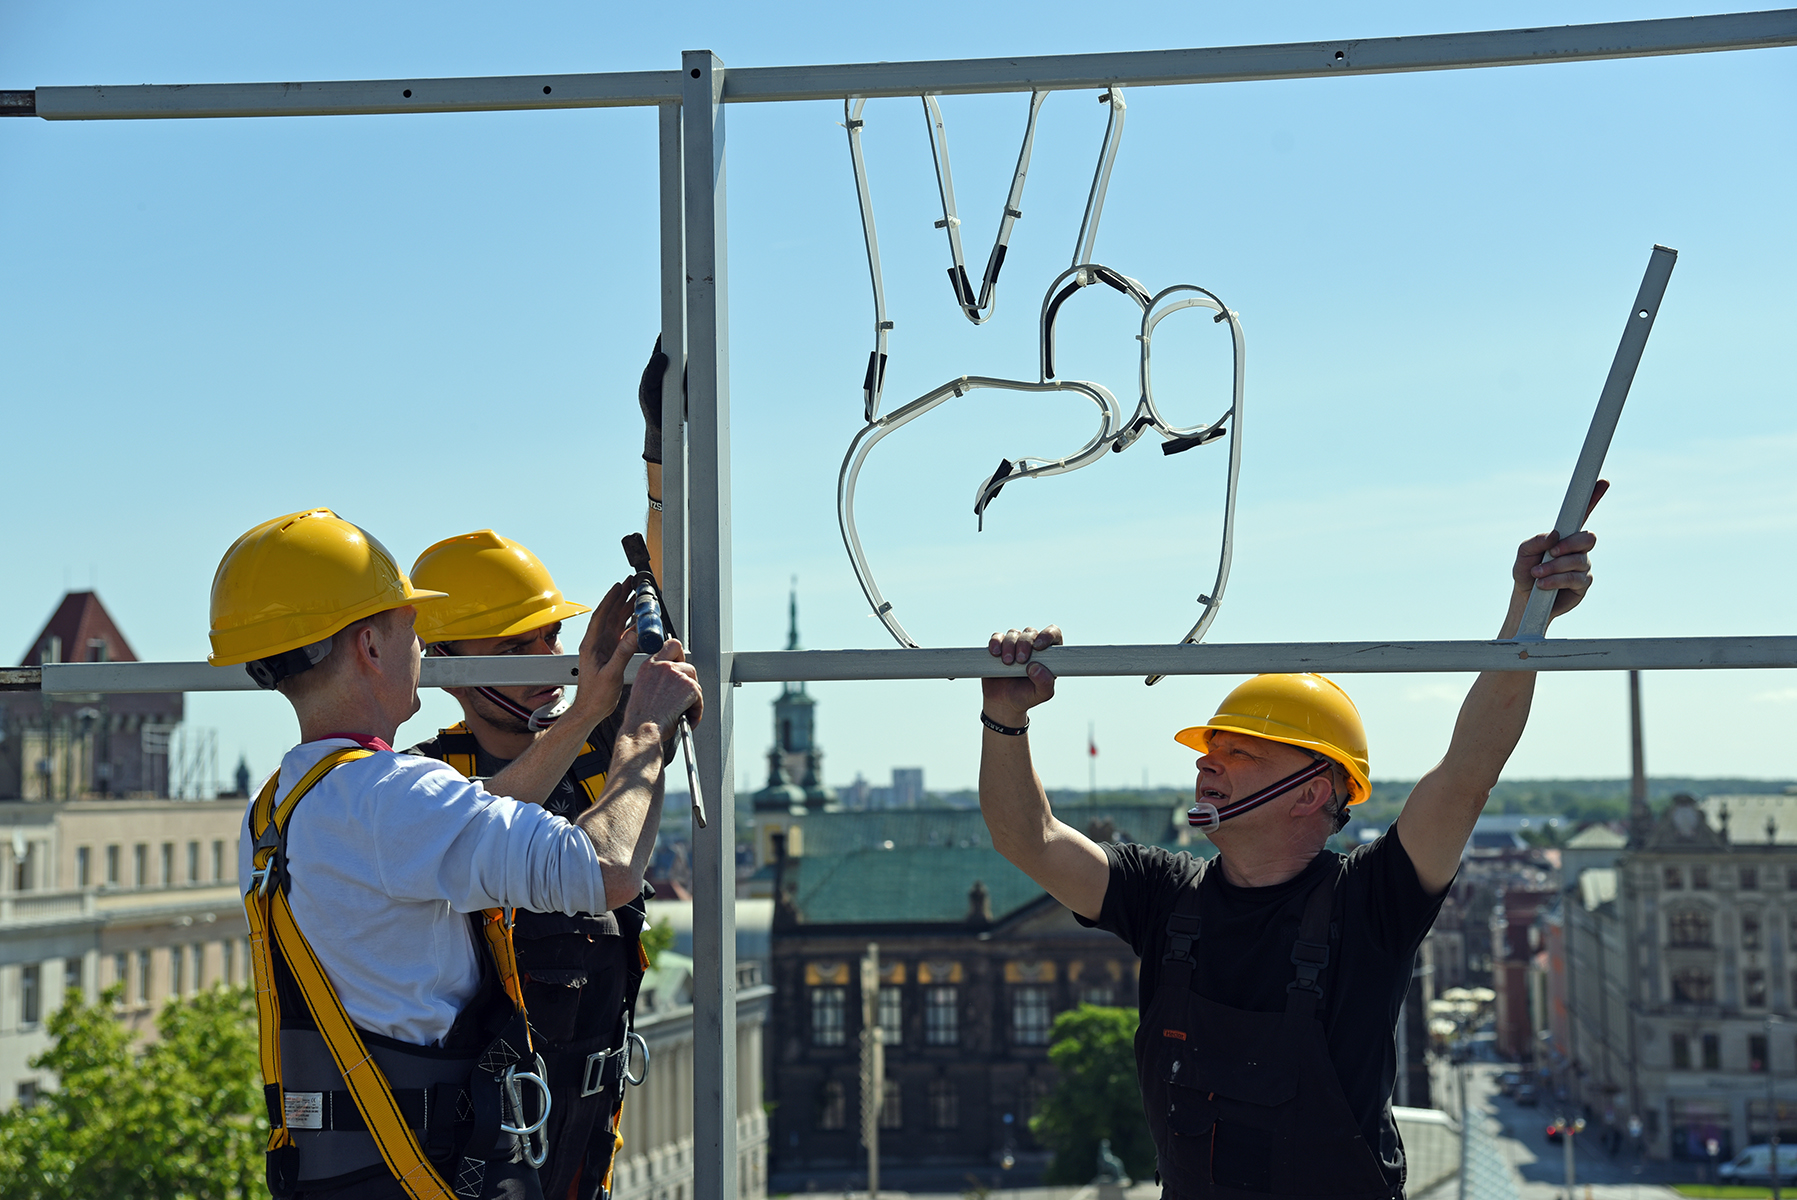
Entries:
{"x":1095,"y":1097}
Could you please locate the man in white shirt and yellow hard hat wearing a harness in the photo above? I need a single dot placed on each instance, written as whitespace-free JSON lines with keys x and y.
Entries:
{"x":389,"y":854}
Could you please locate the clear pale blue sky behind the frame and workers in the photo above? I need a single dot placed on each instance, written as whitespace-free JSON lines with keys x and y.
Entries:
{"x":436,"y":324}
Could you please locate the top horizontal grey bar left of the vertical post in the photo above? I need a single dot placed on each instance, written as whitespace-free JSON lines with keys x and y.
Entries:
{"x":482,"y":94}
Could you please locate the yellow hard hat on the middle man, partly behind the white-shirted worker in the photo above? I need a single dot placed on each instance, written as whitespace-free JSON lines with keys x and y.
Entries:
{"x":497,"y":588}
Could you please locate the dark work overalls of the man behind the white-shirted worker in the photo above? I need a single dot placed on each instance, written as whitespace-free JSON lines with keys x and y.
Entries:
{"x":581,"y":978}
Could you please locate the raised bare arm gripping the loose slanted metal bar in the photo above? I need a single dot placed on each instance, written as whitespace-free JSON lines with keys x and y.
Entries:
{"x":1444,"y":807}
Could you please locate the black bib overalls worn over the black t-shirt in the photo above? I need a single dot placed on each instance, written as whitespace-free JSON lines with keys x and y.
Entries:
{"x":1244,"y":1104}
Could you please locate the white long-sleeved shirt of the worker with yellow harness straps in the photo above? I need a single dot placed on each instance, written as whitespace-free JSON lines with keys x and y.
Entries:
{"x":389,"y":852}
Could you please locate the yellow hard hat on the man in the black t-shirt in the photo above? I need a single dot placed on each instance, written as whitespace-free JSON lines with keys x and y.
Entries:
{"x":1309,"y":712}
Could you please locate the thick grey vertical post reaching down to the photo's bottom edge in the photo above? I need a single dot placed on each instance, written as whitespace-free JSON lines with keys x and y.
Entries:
{"x":709,"y":597}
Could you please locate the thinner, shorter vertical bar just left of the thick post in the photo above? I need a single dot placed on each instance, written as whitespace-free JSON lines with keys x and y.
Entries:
{"x":675,"y":506}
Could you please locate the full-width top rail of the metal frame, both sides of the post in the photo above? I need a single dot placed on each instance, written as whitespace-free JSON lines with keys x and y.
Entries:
{"x":1138,"y":69}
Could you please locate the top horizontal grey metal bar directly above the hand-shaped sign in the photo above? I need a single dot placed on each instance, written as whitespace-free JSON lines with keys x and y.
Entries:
{"x":1295,"y":60}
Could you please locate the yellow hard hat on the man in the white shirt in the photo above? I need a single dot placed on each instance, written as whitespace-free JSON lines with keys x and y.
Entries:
{"x":299,"y":579}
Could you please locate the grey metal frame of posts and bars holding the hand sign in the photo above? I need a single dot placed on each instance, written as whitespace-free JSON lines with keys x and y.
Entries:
{"x":696,"y":468}
